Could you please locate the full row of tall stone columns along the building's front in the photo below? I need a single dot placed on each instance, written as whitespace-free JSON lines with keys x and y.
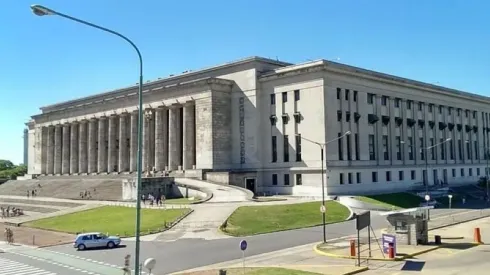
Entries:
{"x":109,"y":144}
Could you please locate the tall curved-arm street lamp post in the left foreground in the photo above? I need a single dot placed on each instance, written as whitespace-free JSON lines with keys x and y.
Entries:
{"x":42,"y":11}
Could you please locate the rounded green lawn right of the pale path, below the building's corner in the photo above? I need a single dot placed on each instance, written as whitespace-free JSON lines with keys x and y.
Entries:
{"x":252,"y":220}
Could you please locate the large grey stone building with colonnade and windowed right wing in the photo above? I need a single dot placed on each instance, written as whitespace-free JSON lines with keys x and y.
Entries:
{"x":260,"y":123}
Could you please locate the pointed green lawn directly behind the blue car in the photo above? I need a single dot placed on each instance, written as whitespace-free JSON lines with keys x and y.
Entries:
{"x":110,"y":219}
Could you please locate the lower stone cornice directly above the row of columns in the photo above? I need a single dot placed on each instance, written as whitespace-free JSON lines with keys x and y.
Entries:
{"x":205,"y":83}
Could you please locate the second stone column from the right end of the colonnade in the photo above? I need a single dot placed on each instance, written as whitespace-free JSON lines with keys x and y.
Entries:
{"x":174,"y":159}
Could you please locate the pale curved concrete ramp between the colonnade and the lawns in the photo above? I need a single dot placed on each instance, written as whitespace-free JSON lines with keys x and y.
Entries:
{"x":221,"y":193}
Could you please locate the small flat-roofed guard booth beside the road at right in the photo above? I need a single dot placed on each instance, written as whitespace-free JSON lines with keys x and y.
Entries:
{"x":410,"y":226}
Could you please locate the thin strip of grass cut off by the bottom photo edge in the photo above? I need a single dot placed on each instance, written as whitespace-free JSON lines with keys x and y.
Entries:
{"x":256,"y":271}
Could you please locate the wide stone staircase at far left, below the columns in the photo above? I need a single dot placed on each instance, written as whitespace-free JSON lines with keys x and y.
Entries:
{"x":109,"y":188}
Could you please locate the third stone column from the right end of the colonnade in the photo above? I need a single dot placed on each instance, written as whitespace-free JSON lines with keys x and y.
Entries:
{"x":161,"y":139}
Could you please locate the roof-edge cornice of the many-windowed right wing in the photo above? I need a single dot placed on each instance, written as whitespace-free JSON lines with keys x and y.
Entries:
{"x":329,"y":66}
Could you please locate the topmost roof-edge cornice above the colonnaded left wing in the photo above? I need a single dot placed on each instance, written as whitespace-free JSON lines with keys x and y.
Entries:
{"x":123,"y":91}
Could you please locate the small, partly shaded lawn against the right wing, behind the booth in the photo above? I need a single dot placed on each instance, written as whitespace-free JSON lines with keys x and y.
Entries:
{"x":393,"y":201}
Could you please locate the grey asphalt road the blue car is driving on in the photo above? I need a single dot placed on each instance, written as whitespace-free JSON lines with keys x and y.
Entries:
{"x":191,"y":253}
